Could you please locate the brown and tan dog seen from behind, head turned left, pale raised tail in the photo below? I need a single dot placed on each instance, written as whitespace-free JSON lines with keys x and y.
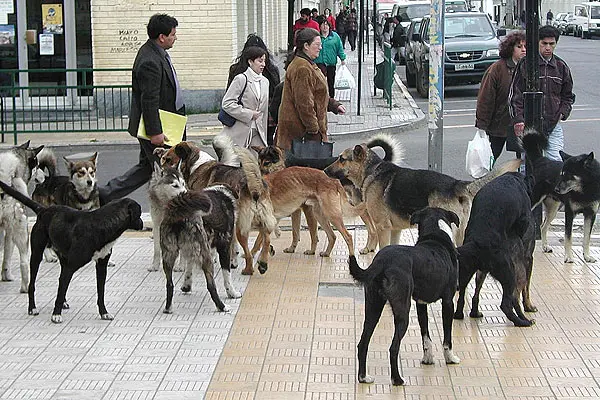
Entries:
{"x":254,"y":204}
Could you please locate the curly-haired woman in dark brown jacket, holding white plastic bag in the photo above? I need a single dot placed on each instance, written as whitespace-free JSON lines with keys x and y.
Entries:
{"x":492,"y":114}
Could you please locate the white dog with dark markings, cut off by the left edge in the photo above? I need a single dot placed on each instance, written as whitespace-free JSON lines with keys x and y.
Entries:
{"x":17,"y":166}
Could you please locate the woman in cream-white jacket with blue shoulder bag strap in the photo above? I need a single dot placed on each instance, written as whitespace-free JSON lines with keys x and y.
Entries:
{"x":251,"y":115}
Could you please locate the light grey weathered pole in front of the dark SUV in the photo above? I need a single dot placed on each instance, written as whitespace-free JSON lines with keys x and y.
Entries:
{"x":436,"y":86}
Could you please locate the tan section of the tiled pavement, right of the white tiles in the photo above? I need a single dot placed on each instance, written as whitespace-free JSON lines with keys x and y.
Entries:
{"x":291,"y":340}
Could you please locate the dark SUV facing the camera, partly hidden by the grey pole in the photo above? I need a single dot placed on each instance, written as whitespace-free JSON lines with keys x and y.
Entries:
{"x":470,"y":47}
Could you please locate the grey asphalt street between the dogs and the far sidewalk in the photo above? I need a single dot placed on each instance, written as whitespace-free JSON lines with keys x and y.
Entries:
{"x":581,"y":132}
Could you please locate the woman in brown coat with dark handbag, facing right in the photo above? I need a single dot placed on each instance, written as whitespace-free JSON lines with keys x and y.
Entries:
{"x":305,"y":99}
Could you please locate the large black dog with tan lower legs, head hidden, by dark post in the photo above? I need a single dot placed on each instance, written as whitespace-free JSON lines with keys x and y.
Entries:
{"x":500,"y":240}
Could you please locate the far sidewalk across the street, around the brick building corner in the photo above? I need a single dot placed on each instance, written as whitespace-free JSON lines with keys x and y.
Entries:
{"x":375,"y":116}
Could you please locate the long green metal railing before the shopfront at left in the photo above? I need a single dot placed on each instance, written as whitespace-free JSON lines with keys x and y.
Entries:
{"x":48,"y":107}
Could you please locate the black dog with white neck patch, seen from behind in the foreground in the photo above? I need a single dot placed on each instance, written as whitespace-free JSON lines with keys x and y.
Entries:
{"x":426,"y":272}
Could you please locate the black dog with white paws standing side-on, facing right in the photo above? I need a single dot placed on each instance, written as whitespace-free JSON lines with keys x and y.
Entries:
{"x":77,"y":237}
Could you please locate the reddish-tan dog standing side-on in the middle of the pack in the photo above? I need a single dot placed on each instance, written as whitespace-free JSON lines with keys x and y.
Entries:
{"x":311,"y":186}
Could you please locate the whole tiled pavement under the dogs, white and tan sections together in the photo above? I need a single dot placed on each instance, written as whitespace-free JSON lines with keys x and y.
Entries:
{"x":292,"y":335}
